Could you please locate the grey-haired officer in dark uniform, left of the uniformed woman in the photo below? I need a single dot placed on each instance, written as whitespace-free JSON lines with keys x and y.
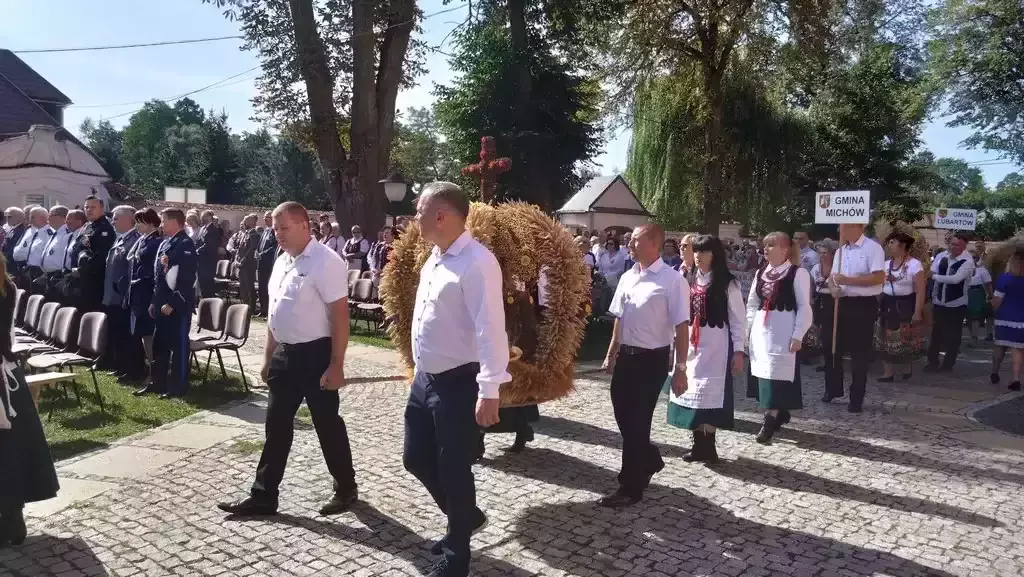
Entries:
{"x":125,"y":352}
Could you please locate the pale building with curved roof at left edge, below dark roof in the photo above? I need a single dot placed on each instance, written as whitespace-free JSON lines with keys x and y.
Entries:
{"x":41,"y":169}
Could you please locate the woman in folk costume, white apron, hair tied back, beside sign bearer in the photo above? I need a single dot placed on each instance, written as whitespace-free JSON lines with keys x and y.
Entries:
{"x":779,"y":314}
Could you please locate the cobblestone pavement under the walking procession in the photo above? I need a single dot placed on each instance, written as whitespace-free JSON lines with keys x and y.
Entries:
{"x":912,"y":487}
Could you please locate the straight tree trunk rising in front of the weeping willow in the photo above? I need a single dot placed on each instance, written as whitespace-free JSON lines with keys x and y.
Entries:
{"x":712,"y":201}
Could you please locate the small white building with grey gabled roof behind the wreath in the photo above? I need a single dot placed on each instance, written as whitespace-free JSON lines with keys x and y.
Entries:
{"x":605,"y":202}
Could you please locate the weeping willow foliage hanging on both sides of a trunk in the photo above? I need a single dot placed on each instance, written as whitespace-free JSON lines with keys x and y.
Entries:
{"x":760,"y":149}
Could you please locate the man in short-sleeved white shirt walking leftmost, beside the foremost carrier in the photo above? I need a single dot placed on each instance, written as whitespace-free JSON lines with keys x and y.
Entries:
{"x":304,"y":359}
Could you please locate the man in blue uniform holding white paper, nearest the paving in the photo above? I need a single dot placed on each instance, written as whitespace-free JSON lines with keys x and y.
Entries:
{"x":174,"y":302}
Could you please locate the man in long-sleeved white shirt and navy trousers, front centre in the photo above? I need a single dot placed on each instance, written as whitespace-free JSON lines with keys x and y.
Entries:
{"x":461,"y":352}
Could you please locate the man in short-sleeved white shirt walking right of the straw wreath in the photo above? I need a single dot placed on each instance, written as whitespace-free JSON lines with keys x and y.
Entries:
{"x":653,"y":310}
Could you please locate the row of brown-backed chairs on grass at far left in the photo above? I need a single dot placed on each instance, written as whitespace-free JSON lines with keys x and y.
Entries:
{"x":55,"y":339}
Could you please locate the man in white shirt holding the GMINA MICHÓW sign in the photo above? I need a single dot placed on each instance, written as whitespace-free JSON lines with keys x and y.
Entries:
{"x":856,"y":287}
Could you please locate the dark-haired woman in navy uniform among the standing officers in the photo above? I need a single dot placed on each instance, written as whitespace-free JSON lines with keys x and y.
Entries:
{"x":143,"y":259}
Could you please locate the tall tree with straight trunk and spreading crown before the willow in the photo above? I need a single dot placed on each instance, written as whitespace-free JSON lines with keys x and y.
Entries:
{"x":659,"y":37}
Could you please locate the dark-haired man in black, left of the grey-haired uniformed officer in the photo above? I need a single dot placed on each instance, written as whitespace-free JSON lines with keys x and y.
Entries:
{"x":91,"y":250}
